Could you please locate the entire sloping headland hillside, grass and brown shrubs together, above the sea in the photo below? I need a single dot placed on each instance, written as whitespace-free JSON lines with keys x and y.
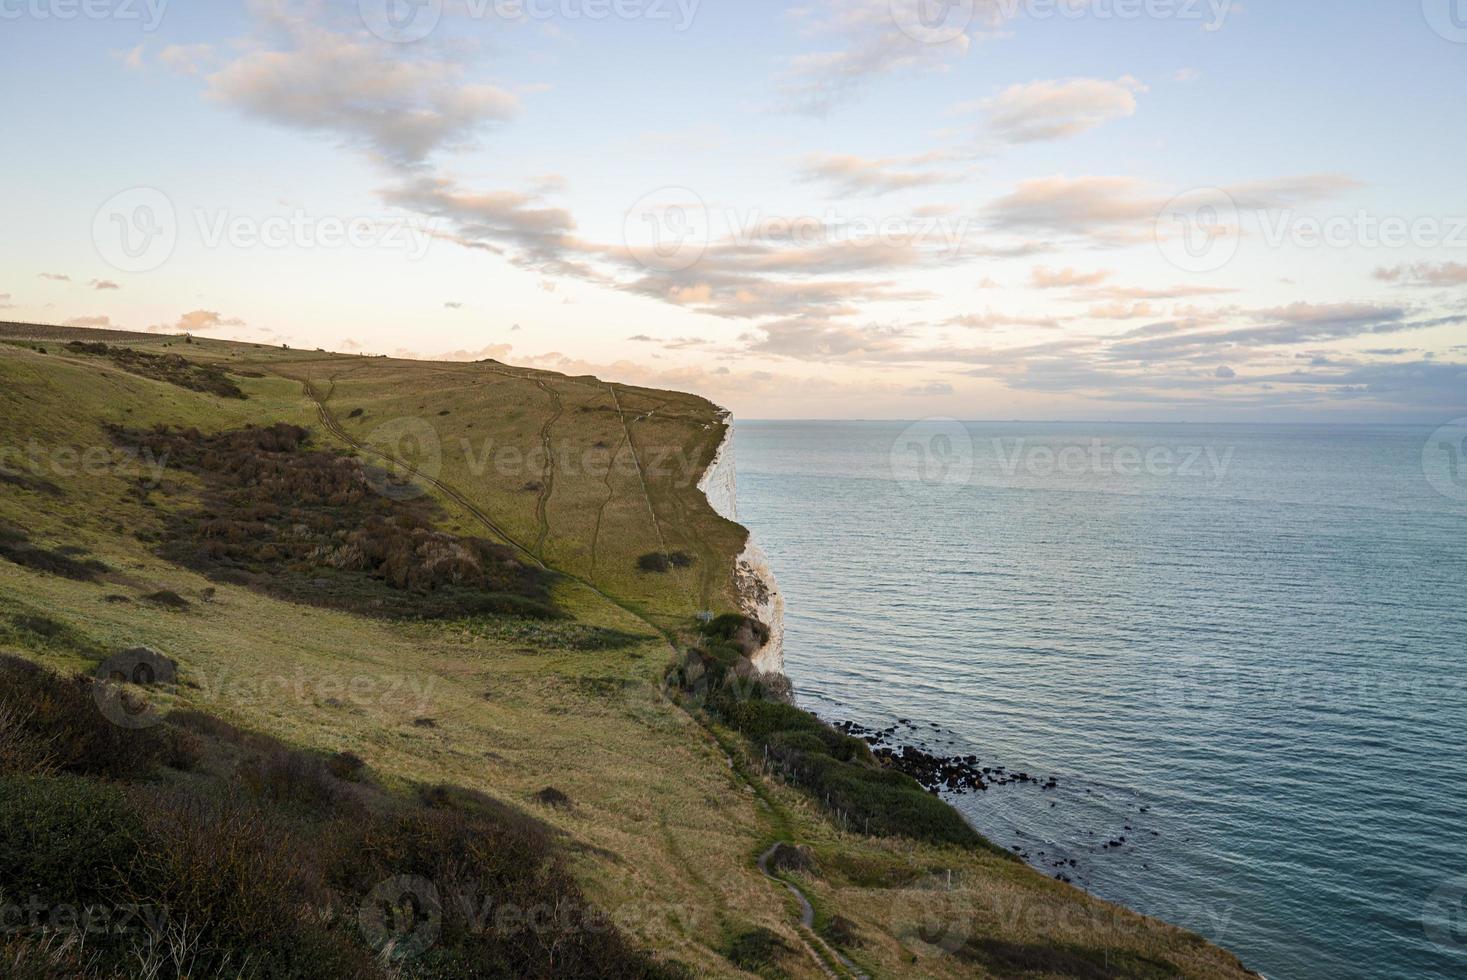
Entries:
{"x":376,"y":746}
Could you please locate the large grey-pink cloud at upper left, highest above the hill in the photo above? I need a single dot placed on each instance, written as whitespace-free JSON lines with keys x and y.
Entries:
{"x":400,"y":108}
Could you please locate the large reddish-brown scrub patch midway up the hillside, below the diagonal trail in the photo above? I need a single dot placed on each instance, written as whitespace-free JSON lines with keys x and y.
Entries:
{"x":312,"y":527}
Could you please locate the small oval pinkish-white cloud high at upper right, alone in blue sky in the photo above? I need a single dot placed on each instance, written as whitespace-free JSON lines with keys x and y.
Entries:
{"x":1060,"y":109}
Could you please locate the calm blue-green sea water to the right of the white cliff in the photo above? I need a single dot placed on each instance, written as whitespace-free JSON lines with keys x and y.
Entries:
{"x":1242,"y":648}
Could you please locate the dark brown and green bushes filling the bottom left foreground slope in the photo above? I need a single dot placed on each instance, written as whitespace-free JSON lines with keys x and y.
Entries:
{"x":266,"y":863}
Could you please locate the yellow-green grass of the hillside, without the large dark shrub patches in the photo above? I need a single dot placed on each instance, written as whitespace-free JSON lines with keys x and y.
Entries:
{"x":658,"y":812}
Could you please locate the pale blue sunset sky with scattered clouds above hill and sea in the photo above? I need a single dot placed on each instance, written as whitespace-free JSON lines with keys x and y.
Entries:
{"x":847,"y":209}
